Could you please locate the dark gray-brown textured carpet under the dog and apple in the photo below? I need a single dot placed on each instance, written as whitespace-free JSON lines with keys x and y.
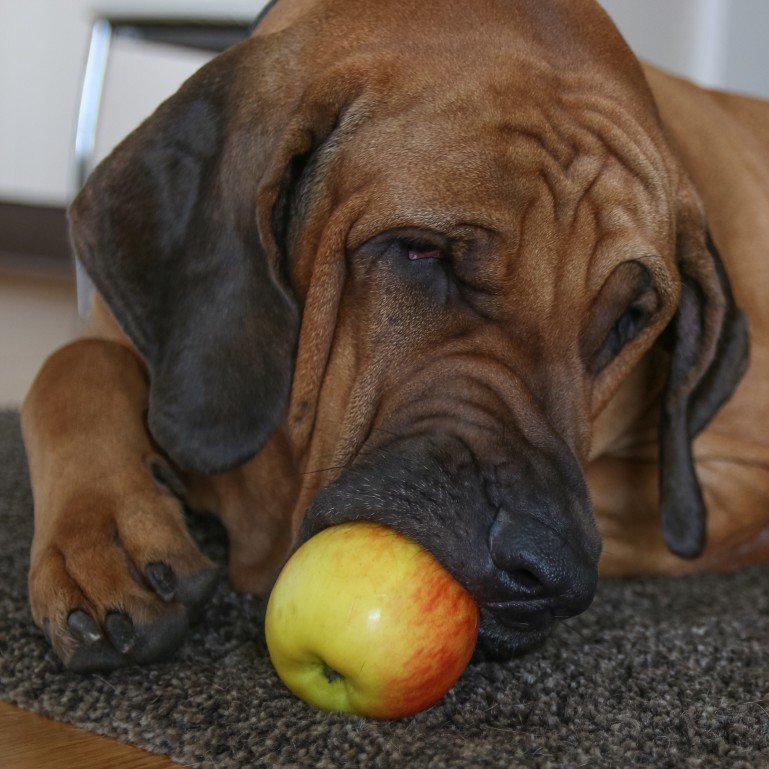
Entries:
{"x":659,"y":672}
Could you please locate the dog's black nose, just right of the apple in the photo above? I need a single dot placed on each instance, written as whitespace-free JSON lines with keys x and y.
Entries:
{"x":544,"y":575}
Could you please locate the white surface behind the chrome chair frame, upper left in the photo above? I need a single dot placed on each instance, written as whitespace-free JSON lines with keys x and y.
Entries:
{"x":43,"y":45}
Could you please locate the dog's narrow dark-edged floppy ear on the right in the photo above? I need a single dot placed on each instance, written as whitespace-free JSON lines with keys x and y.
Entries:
{"x":710,"y":354}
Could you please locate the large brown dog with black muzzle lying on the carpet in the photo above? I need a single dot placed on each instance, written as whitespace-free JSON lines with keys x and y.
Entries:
{"x":443,"y":265}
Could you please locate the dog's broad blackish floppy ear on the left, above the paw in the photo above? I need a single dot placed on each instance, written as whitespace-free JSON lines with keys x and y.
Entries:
{"x":180,"y":229}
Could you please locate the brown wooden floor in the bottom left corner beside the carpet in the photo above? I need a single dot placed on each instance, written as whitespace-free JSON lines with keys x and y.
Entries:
{"x":28,"y":741}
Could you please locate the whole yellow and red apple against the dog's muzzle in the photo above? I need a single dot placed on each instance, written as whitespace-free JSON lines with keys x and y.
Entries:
{"x":363,"y":620}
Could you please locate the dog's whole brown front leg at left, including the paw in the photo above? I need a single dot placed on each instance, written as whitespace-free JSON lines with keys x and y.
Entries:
{"x":115,"y":577}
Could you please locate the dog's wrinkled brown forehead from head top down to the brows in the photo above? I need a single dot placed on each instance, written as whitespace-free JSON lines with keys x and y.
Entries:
{"x":531,"y":119}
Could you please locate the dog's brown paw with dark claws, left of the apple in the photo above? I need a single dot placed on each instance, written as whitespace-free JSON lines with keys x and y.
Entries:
{"x":115,"y":577}
